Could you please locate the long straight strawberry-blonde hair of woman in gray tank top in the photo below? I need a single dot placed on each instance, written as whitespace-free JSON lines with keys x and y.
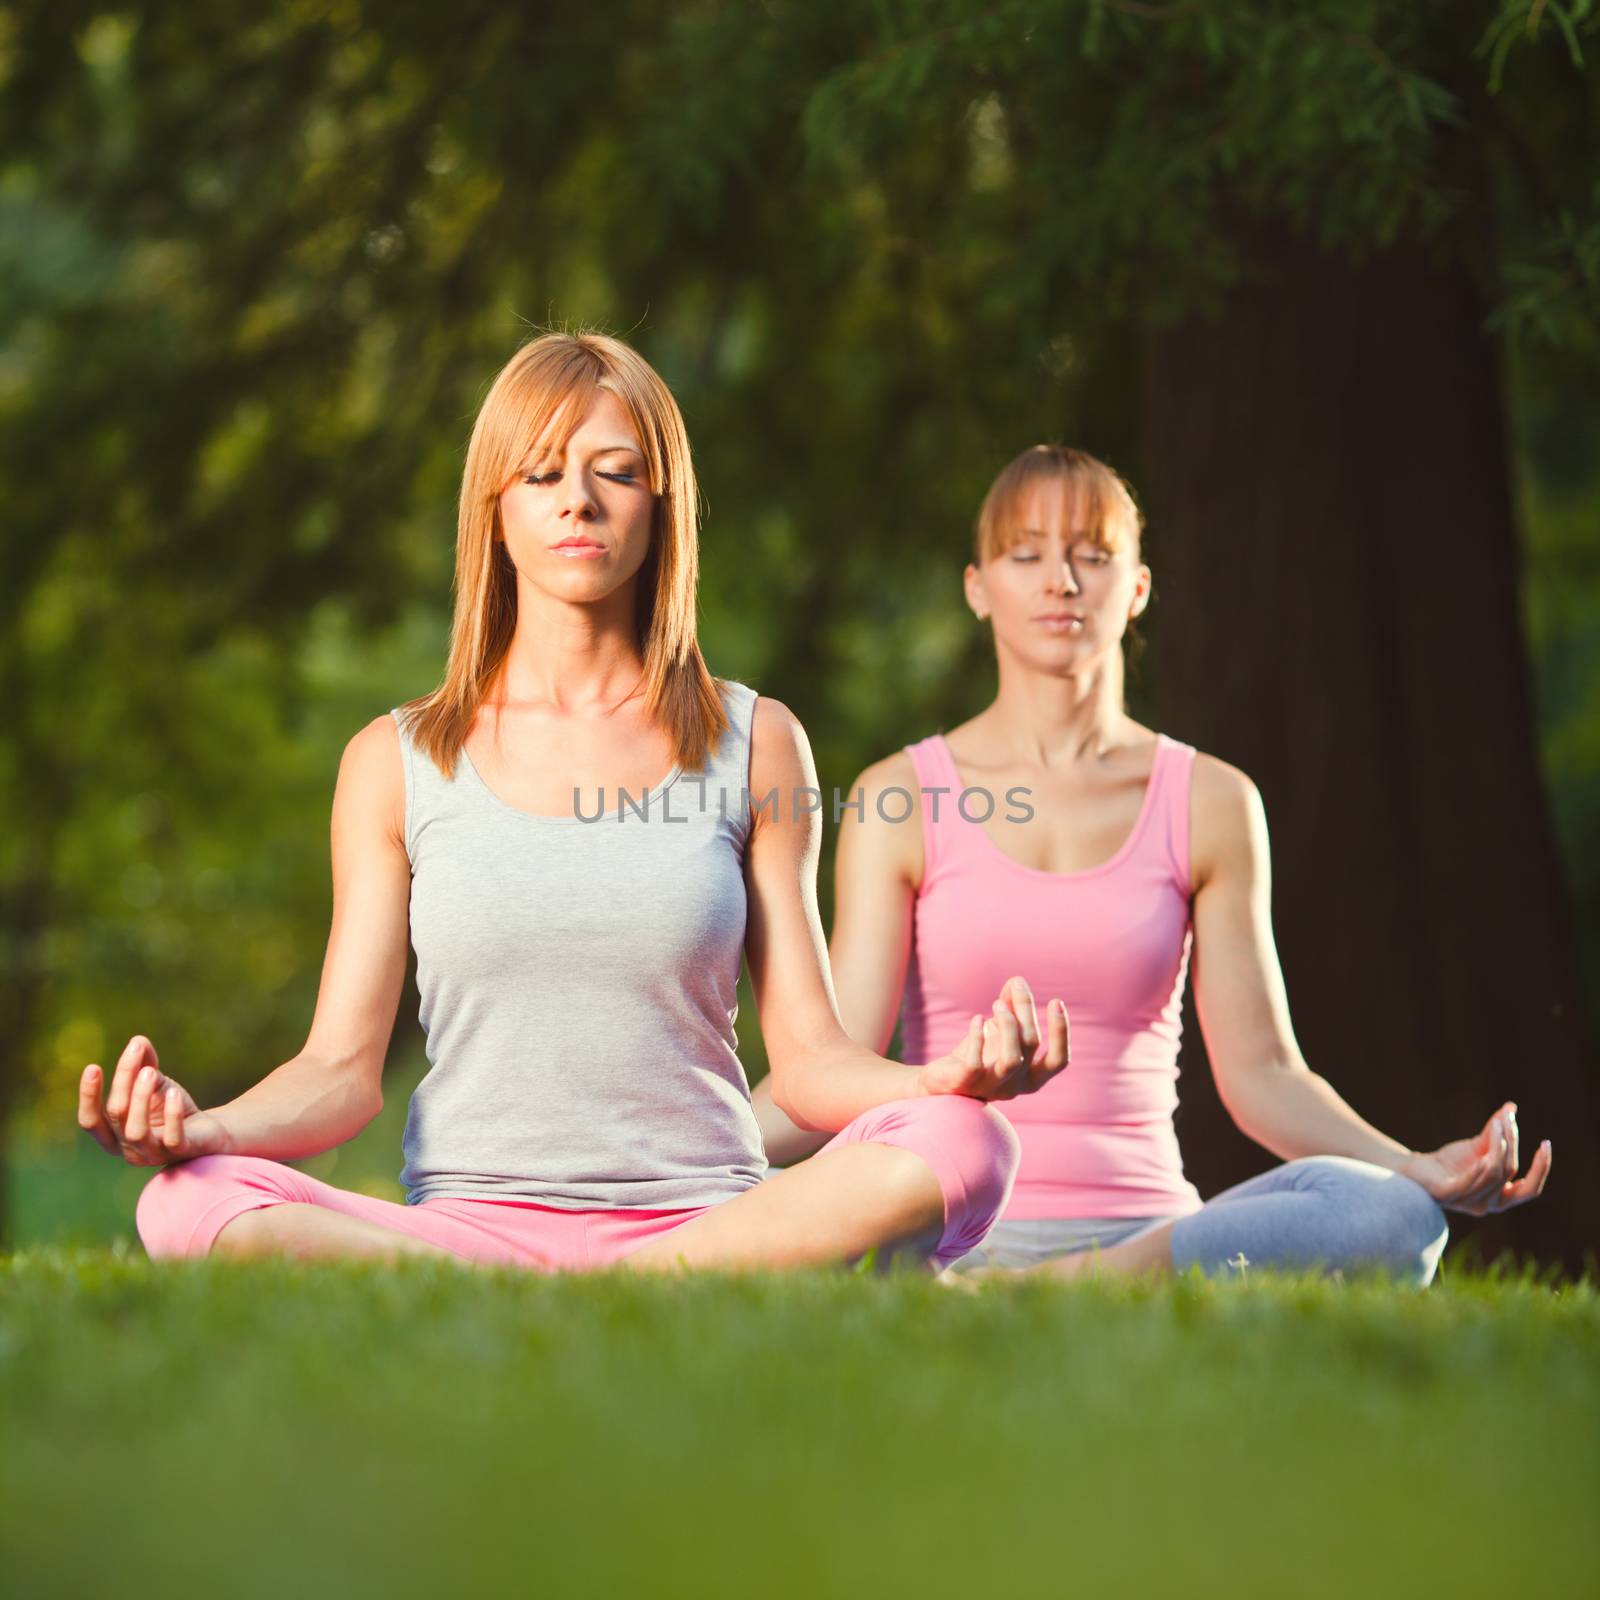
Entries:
{"x":538,"y":401}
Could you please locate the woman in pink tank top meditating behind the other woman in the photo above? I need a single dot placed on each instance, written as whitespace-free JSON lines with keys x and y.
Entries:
{"x":1055,"y":838}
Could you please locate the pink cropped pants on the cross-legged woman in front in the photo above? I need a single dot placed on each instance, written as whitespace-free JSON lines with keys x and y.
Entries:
{"x":970,"y":1146}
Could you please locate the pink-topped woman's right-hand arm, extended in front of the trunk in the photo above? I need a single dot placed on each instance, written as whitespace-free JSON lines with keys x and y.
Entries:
{"x":1265,"y":1082}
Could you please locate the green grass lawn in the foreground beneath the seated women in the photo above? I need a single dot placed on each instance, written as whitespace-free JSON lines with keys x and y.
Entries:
{"x":268,"y":1430}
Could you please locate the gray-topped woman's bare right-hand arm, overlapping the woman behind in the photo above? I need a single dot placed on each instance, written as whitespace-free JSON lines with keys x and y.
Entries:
{"x":820,"y":1078}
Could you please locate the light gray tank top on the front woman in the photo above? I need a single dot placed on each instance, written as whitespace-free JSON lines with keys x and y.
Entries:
{"x":578,"y":985}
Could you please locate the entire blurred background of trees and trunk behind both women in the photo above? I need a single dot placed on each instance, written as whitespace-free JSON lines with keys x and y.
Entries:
{"x":1322,"y":282}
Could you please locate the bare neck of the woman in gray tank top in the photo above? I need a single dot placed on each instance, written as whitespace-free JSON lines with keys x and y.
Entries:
{"x":572,"y":655}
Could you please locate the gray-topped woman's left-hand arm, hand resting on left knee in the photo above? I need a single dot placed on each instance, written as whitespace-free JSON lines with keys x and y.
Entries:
{"x":330,"y":1090}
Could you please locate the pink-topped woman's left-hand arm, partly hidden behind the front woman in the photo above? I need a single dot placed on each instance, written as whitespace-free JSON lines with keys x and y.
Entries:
{"x":876,"y":874}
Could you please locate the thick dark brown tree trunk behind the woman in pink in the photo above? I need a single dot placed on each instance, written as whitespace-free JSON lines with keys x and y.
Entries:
{"x":1337,"y":575}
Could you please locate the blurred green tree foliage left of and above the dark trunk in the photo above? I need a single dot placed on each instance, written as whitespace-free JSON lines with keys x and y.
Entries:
{"x":257,"y":266}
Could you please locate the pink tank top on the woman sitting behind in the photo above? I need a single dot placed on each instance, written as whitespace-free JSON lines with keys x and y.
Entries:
{"x":1098,"y":1140}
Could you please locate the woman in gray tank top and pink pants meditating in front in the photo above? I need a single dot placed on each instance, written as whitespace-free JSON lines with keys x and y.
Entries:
{"x":582,"y":833}
